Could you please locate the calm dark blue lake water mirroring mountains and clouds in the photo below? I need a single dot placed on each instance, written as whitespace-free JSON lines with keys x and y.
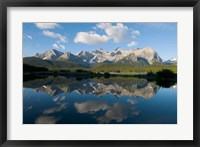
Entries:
{"x":61,"y":100}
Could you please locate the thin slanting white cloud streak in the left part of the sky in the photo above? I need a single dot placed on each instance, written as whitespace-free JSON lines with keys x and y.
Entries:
{"x":60,"y":37}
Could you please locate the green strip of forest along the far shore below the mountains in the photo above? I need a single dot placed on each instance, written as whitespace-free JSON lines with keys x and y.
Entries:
{"x":106,"y":68}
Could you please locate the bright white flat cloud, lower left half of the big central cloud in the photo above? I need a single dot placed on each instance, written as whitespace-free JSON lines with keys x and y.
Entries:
{"x":90,"y":38}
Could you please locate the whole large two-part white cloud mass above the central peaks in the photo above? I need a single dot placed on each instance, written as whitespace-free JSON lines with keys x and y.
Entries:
{"x":118,"y":33}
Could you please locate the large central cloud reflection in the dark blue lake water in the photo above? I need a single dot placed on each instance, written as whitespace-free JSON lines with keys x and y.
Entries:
{"x":112,"y":112}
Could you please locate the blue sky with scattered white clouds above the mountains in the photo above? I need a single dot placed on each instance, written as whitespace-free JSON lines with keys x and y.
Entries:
{"x":75,"y":37}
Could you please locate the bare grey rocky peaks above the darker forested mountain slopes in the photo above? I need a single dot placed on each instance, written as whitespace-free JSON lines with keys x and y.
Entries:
{"x":148,"y":55}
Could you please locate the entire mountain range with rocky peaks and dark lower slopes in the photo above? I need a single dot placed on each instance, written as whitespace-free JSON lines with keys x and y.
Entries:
{"x":137,"y":57}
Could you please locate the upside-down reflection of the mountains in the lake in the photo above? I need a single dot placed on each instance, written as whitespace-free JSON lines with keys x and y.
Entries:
{"x":99,"y":87}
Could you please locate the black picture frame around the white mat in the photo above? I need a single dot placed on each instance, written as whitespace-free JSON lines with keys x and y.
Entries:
{"x":100,"y":3}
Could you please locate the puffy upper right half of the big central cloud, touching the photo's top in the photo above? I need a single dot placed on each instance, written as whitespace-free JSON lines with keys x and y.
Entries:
{"x":118,"y":32}
